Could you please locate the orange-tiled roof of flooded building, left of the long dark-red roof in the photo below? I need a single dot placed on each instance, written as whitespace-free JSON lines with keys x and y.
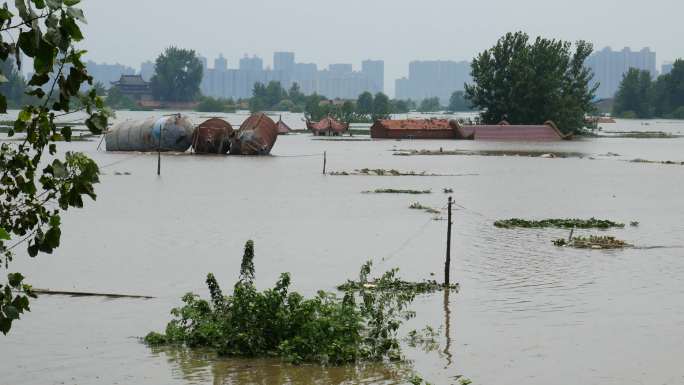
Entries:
{"x":413,"y":129}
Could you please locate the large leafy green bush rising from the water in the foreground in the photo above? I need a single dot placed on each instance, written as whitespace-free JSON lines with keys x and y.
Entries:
{"x":361,"y":326}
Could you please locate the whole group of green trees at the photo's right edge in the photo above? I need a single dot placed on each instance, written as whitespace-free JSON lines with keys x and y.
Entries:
{"x":639,"y":96}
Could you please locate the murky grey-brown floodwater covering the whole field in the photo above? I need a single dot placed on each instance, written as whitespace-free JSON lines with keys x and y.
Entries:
{"x":528,"y":312}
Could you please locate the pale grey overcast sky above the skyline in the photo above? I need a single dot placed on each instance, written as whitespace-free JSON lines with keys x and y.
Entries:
{"x":397,"y":31}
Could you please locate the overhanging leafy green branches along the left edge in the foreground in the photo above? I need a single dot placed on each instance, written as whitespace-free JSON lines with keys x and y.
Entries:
{"x":34,"y":191}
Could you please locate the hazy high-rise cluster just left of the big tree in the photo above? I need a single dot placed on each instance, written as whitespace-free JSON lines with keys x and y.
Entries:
{"x":434,"y":78}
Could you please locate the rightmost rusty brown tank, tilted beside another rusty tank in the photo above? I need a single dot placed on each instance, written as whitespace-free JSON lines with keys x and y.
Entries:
{"x":256,"y":136}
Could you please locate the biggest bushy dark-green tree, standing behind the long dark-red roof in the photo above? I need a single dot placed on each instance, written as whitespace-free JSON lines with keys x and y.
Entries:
{"x":530,"y":82}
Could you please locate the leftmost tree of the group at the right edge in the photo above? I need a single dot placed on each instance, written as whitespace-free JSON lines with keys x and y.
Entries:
{"x":634,"y":95}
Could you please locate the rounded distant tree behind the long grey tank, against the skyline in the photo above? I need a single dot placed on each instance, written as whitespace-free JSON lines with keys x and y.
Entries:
{"x":178,"y":74}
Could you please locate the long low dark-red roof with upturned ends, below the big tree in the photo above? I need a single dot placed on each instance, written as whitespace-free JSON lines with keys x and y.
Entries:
{"x":505,"y":131}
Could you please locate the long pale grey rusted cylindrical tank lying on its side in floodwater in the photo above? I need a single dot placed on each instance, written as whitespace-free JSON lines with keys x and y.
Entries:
{"x":174,"y":132}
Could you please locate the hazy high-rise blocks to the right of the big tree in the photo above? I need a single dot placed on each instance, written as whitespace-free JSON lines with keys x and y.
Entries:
{"x":609,"y":66}
